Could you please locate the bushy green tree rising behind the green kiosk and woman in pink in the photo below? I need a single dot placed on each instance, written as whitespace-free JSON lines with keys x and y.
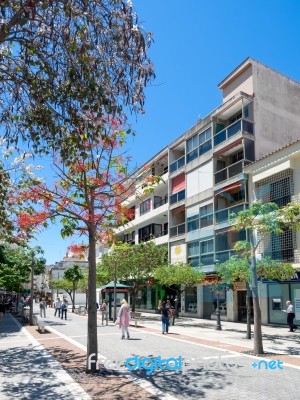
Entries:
{"x":135,"y":264}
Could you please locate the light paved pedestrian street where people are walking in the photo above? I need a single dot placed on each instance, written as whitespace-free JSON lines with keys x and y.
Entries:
{"x":211,"y":372}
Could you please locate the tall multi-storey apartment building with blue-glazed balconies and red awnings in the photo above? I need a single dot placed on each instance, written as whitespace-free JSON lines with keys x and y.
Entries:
{"x":204,"y":181}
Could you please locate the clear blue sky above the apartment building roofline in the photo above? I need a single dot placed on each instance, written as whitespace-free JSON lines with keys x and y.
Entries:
{"x":197,"y":43}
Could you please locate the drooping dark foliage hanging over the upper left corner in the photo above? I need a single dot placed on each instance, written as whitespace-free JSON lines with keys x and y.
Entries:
{"x":60,"y":60}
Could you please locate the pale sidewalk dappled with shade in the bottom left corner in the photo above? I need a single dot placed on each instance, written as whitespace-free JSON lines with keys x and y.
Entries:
{"x":28,"y":371}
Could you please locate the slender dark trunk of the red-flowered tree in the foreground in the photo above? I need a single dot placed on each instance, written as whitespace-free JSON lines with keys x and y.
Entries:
{"x":92,"y":342}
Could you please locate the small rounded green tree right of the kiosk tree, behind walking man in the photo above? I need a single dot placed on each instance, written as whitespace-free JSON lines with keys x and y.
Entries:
{"x":178,"y":277}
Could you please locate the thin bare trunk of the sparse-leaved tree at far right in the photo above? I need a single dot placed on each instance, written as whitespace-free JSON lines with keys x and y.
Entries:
{"x":258,"y":344}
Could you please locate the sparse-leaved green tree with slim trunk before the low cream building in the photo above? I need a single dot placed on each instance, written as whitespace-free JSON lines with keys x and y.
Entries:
{"x":261,"y":220}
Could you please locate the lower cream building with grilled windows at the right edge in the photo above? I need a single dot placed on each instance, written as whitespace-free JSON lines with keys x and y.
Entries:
{"x":275,"y":178}
